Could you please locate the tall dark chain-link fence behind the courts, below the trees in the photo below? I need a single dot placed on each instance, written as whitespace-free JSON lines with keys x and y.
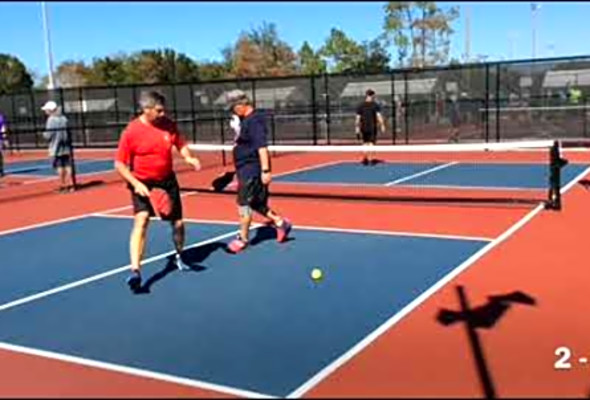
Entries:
{"x":544,"y":98}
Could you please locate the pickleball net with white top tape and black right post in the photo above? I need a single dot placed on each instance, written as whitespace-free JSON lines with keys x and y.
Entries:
{"x":511,"y":173}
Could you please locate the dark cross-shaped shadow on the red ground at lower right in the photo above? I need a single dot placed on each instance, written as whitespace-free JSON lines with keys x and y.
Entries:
{"x":485,"y":316}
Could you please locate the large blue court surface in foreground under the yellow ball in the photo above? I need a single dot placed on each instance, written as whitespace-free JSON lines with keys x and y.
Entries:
{"x":254,"y":321}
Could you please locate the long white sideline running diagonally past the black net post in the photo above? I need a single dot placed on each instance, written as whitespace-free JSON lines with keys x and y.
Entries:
{"x":360,"y":346}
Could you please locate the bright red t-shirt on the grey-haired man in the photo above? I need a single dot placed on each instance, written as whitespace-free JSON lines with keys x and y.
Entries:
{"x":147,"y":149}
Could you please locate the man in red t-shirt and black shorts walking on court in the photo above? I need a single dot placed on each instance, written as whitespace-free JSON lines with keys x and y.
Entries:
{"x":145,"y":160}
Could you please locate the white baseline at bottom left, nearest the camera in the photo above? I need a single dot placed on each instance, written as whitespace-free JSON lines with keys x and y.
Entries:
{"x":144,"y":373}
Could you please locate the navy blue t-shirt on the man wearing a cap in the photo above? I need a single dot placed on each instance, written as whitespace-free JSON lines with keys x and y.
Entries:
{"x":253,"y":132}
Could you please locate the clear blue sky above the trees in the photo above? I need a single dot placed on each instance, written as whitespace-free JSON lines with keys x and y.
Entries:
{"x":84,"y":30}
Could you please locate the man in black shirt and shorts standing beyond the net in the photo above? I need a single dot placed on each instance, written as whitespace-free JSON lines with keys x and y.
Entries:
{"x":368,"y":116}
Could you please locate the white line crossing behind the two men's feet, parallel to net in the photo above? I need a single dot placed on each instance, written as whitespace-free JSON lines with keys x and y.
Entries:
{"x":329,"y":229}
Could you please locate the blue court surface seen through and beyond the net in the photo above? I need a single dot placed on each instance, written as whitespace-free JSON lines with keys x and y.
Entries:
{"x":454,"y":175}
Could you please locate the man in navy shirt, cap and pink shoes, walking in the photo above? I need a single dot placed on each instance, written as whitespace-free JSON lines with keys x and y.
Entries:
{"x":253,"y":171}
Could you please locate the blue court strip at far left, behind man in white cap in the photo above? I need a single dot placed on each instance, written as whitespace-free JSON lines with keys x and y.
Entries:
{"x":44,"y":167}
